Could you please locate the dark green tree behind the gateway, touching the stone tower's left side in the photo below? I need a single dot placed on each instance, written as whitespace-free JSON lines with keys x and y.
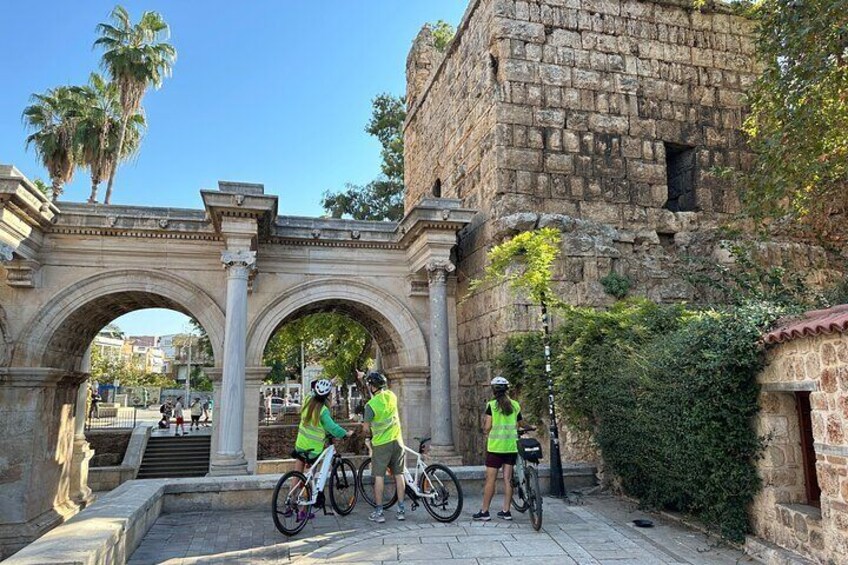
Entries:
{"x":382,"y":198}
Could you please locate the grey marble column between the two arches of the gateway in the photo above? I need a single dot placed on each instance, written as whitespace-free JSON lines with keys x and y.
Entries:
{"x":229,"y":458}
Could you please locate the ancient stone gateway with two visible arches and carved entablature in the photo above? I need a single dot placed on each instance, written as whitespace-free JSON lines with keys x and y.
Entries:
{"x":240,"y":270}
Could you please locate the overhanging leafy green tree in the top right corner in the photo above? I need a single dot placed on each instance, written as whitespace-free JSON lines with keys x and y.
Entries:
{"x":798,"y":123}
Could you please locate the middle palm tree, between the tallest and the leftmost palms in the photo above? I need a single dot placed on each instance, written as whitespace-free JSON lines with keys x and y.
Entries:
{"x":98,"y":128}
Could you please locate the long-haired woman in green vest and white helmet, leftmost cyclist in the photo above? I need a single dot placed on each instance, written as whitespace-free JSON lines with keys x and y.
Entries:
{"x":315,"y":423}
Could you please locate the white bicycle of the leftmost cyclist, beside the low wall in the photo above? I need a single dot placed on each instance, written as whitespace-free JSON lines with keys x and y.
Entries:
{"x":296,"y":493}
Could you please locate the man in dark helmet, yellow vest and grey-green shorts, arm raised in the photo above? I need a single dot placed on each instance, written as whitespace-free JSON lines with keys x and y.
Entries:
{"x":383,"y":423}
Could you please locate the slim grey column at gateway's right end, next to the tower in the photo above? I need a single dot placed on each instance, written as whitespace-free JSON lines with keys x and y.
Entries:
{"x":441,"y":424}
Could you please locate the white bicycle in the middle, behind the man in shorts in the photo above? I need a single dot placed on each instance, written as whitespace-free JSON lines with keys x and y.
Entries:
{"x":434,"y":485}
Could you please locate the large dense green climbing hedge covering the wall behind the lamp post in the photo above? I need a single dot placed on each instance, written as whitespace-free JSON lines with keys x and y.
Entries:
{"x":670,"y":395}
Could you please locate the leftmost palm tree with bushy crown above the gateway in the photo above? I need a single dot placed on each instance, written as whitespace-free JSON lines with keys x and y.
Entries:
{"x":52,"y":117}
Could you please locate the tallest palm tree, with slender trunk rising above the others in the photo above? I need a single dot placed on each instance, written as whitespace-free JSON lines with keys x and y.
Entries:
{"x":137,"y":57}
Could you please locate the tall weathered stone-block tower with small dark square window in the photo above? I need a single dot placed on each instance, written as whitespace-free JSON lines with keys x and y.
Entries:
{"x":603,"y":118}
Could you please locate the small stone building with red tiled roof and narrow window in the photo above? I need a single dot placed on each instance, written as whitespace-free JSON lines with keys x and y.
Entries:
{"x":803,"y":506}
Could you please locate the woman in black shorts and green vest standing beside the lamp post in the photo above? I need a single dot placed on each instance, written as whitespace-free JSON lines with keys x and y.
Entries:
{"x":501,"y":424}
